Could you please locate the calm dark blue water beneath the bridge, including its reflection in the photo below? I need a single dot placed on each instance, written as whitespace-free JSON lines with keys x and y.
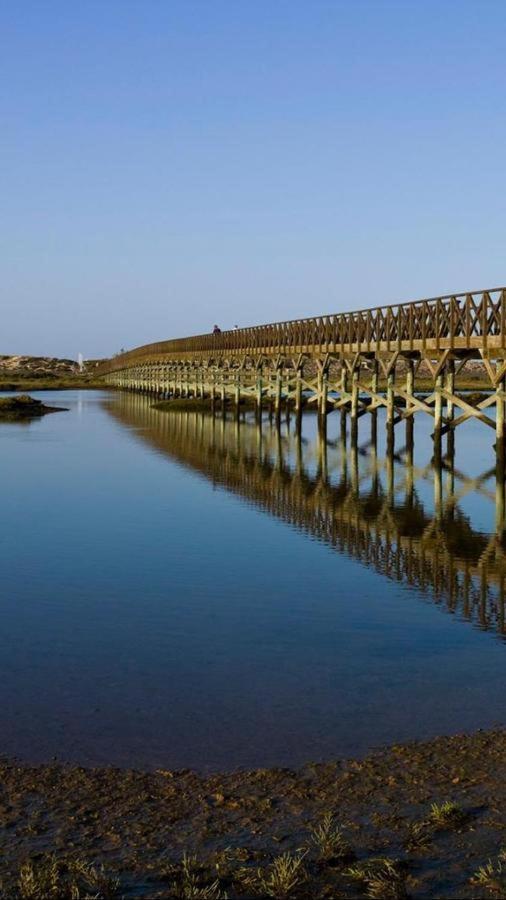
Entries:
{"x":181,"y":591}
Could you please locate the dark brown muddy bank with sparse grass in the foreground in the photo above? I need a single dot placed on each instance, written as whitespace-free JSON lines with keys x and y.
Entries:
{"x":420,"y":820}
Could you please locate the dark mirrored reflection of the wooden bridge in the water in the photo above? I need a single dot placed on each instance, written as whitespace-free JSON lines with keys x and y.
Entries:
{"x":350,"y":497}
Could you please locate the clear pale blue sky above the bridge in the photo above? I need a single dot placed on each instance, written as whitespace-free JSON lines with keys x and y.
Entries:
{"x":168,"y":164}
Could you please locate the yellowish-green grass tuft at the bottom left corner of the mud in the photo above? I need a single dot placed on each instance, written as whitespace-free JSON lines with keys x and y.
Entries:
{"x":48,"y":877}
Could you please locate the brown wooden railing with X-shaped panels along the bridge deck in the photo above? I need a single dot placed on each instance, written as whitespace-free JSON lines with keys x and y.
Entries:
{"x":455,"y":318}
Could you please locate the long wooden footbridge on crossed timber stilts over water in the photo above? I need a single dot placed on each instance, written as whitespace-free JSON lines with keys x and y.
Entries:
{"x":352,"y":362}
